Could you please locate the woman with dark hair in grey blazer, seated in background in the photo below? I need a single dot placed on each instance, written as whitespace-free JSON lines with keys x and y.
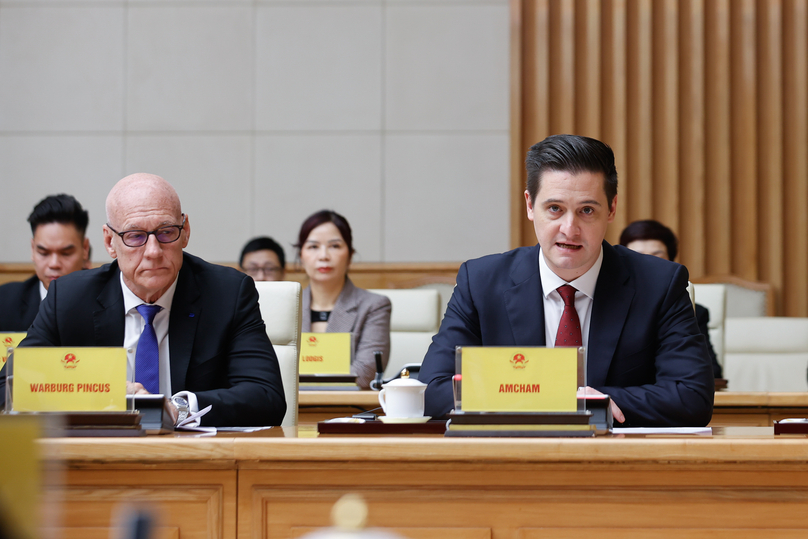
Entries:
{"x":331,"y":302}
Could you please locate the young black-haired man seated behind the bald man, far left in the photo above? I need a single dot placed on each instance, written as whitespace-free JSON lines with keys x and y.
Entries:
{"x":58,"y":247}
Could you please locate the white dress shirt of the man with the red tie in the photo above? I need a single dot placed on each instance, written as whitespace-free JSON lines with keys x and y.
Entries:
{"x":554,"y":305}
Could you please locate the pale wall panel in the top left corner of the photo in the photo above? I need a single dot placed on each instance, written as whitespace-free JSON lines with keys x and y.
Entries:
{"x":61,"y":68}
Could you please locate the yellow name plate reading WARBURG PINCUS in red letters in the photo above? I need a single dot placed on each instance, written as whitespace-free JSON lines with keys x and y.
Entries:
{"x":69,"y":379}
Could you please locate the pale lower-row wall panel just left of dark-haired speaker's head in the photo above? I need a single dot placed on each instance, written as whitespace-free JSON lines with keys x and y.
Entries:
{"x":446,"y":197}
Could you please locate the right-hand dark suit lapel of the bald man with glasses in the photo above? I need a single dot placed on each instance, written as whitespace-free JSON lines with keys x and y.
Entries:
{"x":185,"y":312}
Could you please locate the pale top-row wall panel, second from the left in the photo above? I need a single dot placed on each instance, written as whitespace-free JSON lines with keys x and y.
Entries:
{"x":189,"y":68}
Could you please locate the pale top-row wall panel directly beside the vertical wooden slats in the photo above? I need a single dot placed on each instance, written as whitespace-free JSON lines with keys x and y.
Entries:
{"x":447,"y":66}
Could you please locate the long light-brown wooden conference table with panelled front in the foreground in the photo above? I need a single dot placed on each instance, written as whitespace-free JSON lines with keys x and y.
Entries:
{"x":739,"y":482}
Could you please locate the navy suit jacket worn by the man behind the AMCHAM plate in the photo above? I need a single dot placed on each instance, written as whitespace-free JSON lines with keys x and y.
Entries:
{"x":644,"y":348}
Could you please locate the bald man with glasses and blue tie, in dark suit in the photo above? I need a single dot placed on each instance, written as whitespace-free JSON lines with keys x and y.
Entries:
{"x":191,"y":329}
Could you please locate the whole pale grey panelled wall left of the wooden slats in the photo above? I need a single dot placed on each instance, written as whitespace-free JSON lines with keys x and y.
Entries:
{"x":394,"y":113}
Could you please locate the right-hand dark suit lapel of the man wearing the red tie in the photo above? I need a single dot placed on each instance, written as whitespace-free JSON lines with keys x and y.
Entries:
{"x":614,"y":293}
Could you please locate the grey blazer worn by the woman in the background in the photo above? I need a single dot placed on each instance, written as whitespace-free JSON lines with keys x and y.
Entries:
{"x":367,"y":316}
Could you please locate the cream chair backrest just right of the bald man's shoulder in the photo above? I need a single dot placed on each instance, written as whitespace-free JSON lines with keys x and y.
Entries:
{"x":280,"y":309}
